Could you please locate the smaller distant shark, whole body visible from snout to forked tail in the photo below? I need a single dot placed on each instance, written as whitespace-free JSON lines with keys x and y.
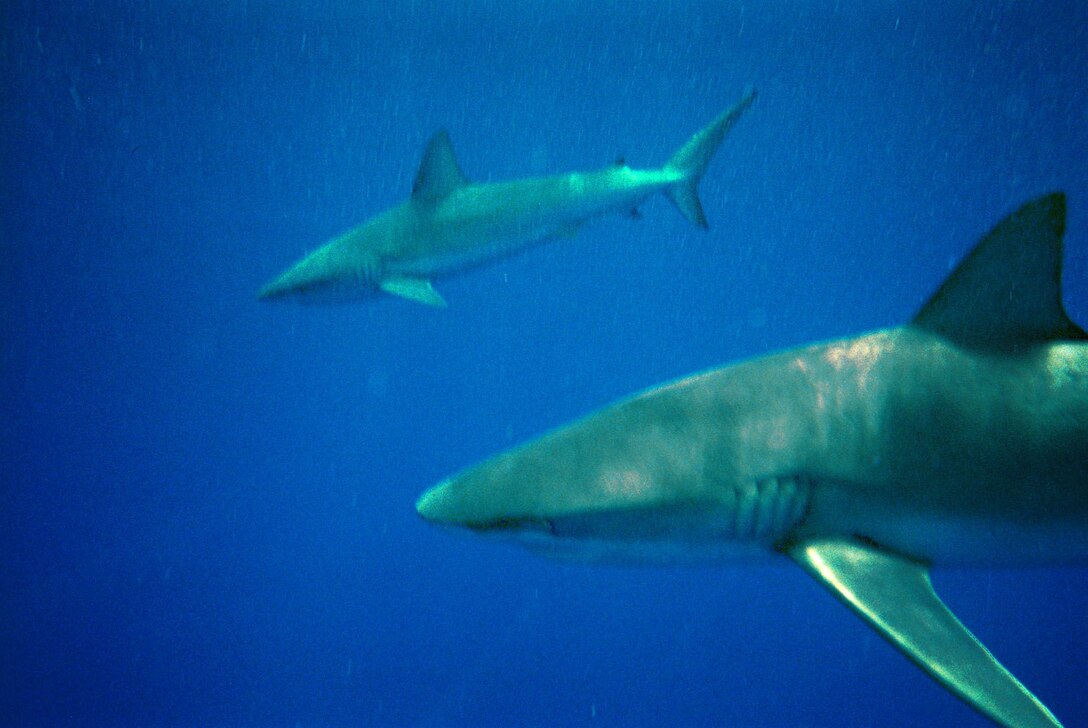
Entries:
{"x":451,"y":225}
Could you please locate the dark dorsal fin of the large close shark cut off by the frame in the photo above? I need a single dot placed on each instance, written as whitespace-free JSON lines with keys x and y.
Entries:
{"x":1007,"y":294}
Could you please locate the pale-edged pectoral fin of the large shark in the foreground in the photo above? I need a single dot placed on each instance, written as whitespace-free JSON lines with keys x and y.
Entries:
{"x":895,"y":597}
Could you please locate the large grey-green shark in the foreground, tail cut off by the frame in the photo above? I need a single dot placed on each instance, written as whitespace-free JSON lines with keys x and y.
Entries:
{"x":960,"y":439}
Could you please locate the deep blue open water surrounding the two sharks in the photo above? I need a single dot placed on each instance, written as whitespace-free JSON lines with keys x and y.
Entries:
{"x":208,"y":502}
